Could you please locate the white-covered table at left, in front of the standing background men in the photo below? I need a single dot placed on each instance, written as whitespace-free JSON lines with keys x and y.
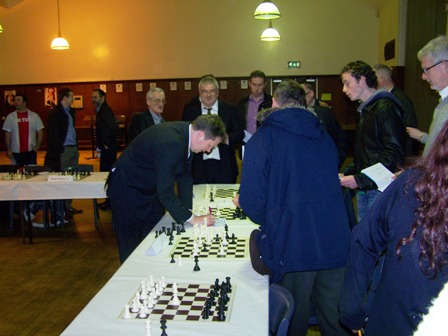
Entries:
{"x":39,"y":188}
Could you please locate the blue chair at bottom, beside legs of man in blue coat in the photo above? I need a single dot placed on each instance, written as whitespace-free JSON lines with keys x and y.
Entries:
{"x":281,"y":309}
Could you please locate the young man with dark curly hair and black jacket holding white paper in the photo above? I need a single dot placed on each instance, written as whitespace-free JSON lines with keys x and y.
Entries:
{"x":380,"y":132}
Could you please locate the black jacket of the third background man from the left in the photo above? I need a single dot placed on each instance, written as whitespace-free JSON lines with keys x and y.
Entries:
{"x":106,"y":127}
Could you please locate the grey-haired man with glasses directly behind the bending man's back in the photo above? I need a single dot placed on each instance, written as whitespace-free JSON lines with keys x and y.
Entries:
{"x":155,"y":99}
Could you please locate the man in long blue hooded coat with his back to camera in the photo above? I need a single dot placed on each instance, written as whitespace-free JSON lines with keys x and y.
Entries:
{"x":290,"y":186}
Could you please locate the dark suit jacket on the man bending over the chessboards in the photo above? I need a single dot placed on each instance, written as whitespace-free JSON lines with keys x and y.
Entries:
{"x":150,"y":166}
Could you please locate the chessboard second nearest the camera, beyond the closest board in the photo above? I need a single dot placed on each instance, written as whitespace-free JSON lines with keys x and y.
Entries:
{"x":185,"y":245}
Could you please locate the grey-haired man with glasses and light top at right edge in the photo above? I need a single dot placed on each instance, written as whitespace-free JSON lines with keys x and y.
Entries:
{"x":434,"y":61}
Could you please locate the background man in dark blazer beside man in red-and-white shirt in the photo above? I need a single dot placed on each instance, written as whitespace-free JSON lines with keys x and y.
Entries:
{"x":62,"y":145}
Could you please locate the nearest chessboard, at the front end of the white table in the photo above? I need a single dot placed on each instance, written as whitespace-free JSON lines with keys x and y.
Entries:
{"x":192,"y":300}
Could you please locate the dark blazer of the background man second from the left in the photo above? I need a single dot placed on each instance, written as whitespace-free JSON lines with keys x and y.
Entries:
{"x":57,"y":127}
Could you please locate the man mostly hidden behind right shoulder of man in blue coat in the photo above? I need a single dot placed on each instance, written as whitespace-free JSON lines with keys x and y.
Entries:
{"x":328,"y":119}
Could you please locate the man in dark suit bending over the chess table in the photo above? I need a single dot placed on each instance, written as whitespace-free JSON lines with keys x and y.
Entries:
{"x":142,"y":182}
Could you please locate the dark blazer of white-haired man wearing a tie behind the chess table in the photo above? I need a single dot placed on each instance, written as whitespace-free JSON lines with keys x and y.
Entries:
{"x":226,"y":170}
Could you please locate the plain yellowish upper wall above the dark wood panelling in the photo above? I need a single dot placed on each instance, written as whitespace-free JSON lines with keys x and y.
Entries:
{"x":158,"y":39}
